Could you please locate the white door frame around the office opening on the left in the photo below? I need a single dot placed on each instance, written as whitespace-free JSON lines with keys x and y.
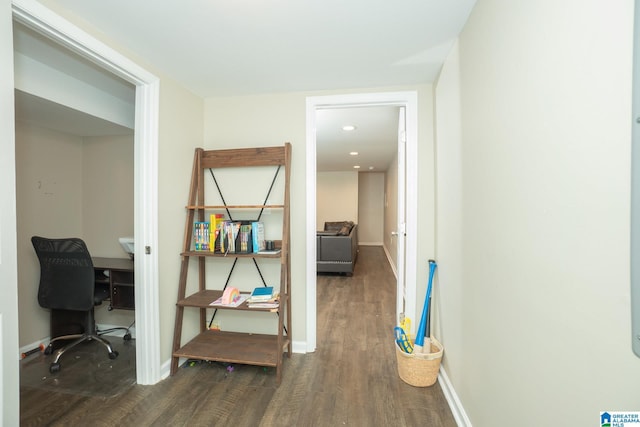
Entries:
{"x":46,"y":22}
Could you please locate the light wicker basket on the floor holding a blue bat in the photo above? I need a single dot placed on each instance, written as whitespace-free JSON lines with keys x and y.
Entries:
{"x":420,"y":370}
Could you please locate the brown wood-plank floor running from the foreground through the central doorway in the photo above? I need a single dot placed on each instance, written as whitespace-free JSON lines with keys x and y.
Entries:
{"x":351,"y":379}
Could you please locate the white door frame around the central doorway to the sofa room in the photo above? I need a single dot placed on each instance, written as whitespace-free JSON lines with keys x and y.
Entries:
{"x":409,"y":100}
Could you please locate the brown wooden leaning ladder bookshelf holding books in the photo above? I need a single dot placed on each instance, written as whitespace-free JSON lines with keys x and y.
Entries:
{"x":224,"y":346}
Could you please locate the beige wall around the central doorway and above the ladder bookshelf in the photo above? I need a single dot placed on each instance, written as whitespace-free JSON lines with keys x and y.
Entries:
{"x":275,"y":118}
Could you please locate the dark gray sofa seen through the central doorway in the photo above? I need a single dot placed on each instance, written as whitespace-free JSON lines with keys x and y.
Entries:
{"x":337,"y":247}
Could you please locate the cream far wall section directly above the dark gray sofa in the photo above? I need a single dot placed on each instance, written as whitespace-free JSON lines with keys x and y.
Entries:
{"x":336,"y":197}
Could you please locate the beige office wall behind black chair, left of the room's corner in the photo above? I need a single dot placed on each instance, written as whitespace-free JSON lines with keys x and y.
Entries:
{"x":48,"y":203}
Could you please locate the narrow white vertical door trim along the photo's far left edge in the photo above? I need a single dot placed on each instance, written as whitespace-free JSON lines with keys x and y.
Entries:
{"x":9,"y":362}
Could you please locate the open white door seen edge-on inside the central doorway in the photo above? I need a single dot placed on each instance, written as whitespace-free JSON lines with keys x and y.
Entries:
{"x":400,"y":233}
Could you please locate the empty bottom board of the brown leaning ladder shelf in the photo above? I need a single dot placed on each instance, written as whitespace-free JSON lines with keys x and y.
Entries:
{"x":234,"y":347}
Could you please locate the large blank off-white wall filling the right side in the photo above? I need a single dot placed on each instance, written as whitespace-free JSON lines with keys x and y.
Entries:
{"x":533,"y":194}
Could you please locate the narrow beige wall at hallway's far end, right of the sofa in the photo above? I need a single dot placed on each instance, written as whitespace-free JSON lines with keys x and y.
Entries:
{"x":371,"y":208}
